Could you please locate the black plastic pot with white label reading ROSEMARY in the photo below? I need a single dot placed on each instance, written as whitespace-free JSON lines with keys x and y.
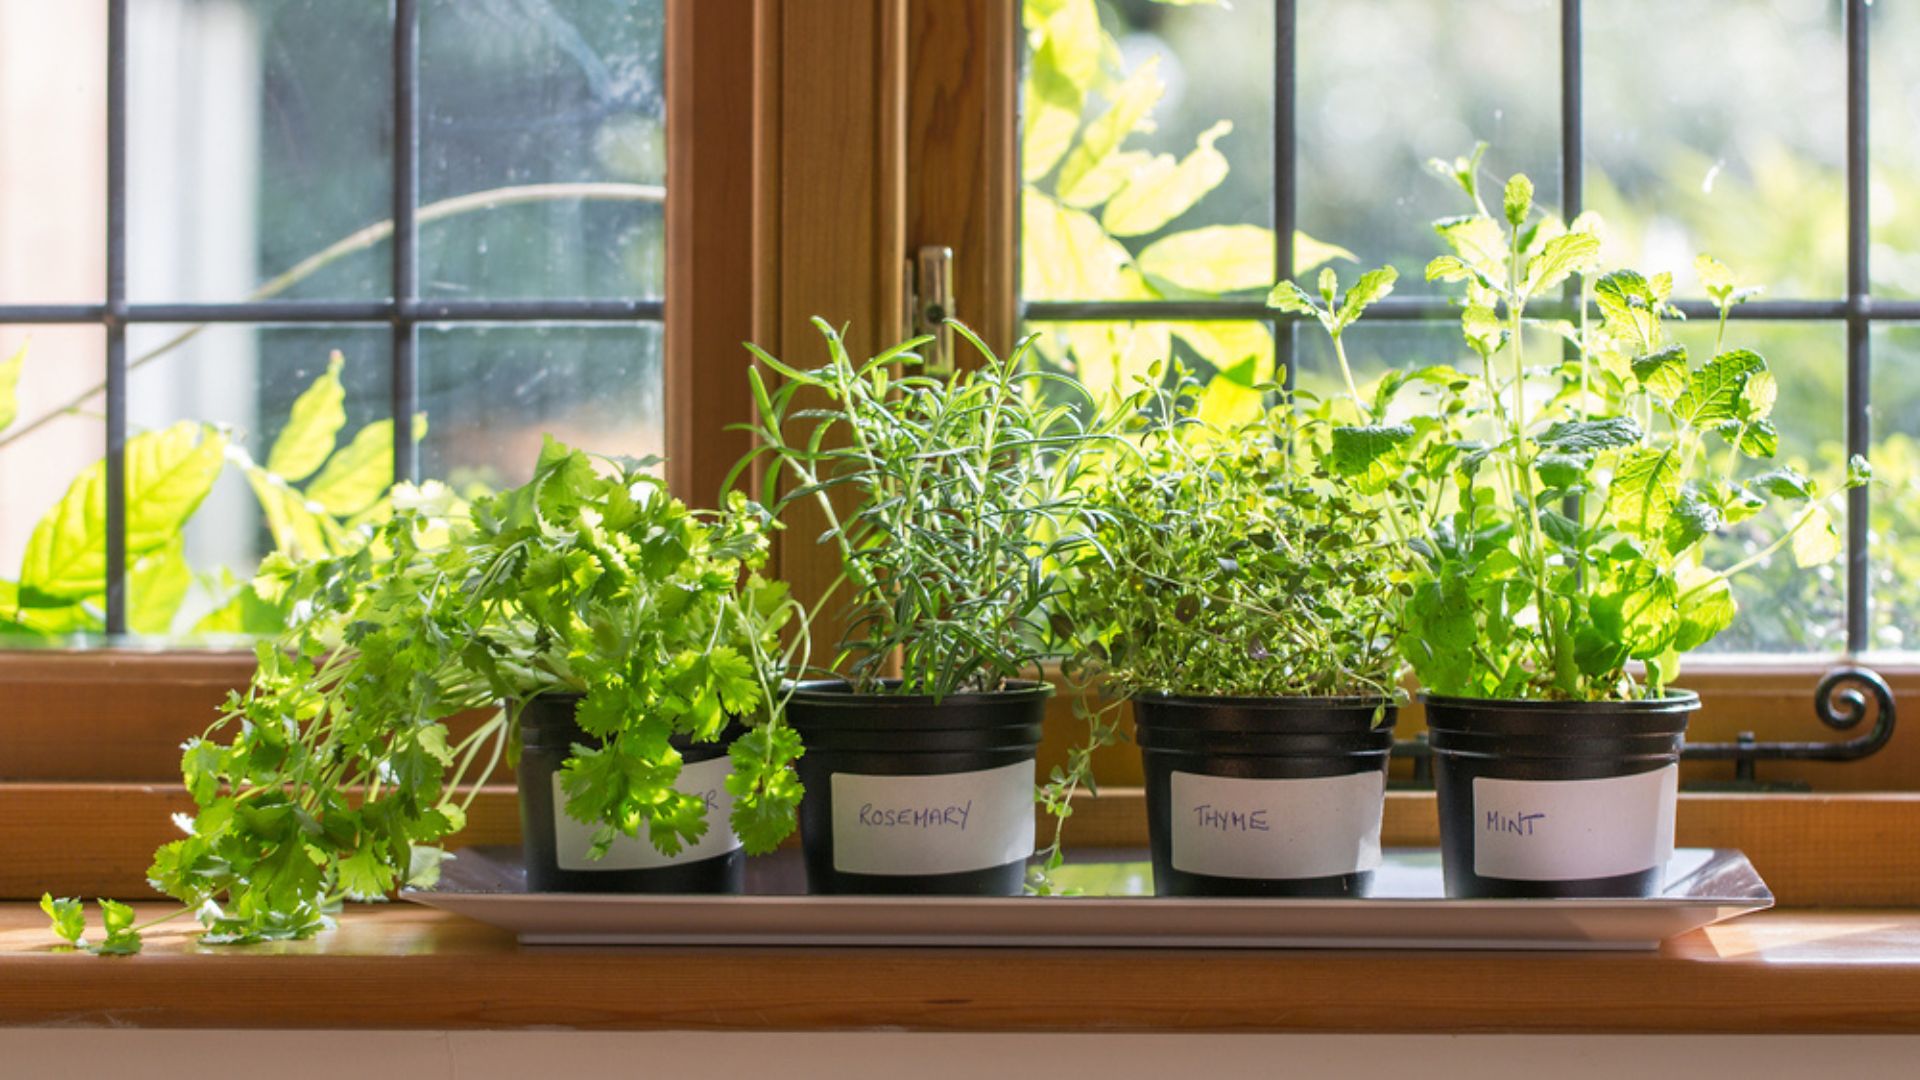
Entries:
{"x":911,"y":797}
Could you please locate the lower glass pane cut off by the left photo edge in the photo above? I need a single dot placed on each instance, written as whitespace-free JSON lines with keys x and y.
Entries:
{"x":43,"y":454}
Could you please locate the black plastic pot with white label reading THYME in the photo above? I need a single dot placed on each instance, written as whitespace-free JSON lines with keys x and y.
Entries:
{"x":1222,"y":814}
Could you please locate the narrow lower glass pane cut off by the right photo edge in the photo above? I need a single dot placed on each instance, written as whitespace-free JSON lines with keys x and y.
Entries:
{"x":1894,"y":543}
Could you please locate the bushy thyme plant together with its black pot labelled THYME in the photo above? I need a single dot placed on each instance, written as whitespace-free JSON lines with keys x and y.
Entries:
{"x":1245,"y":604}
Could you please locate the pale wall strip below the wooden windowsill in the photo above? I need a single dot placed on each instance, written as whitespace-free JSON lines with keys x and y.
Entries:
{"x":537,"y":1056}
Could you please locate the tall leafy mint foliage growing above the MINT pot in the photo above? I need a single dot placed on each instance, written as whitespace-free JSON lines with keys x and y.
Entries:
{"x":1558,"y":503}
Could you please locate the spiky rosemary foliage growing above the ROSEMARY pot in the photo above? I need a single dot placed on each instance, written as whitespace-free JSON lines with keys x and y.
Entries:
{"x":951,"y":504}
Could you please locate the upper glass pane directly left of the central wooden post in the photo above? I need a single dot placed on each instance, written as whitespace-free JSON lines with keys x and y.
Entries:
{"x":558,"y":110}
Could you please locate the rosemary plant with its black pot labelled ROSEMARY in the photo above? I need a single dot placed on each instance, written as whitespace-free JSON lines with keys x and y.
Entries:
{"x":948,"y":504}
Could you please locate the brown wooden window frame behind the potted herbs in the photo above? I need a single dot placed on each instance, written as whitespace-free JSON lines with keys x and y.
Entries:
{"x":811,"y":147}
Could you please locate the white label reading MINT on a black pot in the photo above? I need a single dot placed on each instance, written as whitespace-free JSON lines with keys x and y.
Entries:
{"x":1558,"y":831}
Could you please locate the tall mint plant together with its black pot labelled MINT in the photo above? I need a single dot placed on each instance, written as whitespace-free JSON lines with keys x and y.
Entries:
{"x":1558,"y":508}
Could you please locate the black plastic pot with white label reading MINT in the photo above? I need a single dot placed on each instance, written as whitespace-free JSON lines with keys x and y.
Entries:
{"x":1500,"y":841}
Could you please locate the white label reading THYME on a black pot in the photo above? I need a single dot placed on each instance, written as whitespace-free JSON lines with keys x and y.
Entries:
{"x":1232,"y":827}
